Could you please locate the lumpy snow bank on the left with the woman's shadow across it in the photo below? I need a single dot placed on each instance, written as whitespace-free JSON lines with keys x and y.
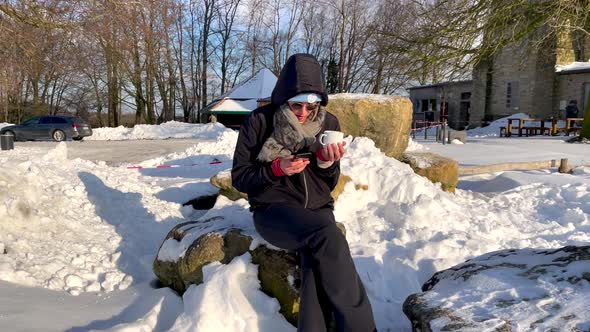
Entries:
{"x":75,"y":225}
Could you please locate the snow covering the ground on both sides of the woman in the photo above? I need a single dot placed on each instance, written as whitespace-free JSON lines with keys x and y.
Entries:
{"x":80,"y":236}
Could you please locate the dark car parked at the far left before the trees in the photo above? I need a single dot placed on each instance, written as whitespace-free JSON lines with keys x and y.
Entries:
{"x":56,"y":127}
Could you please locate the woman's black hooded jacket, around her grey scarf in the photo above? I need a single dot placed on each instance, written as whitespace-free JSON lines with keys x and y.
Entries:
{"x":310,"y":188}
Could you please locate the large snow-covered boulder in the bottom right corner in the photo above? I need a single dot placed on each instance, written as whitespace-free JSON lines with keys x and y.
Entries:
{"x":526,"y":289}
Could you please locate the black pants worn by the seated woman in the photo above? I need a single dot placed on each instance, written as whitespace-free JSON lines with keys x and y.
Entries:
{"x":330,"y":283}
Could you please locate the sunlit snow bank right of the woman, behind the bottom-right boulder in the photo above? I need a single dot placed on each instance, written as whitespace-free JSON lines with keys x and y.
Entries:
{"x":404,"y":228}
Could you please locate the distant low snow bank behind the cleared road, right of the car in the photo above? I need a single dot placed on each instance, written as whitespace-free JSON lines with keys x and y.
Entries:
{"x":171,"y":129}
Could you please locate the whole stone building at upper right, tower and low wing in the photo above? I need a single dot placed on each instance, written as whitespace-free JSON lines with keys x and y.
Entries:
{"x":524,"y":77}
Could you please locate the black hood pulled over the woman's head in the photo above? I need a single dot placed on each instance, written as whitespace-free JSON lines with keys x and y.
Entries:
{"x":301,"y":74}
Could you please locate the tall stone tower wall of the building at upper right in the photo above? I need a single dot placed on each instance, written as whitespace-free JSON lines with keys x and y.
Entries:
{"x":532,"y":68}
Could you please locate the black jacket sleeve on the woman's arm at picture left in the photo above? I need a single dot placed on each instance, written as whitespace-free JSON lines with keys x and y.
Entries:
{"x":248,"y":174}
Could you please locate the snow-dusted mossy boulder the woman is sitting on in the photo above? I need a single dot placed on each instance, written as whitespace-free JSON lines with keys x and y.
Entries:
{"x":187,"y":248}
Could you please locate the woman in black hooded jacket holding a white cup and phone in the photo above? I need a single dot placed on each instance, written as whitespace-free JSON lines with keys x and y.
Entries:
{"x":290,"y":197}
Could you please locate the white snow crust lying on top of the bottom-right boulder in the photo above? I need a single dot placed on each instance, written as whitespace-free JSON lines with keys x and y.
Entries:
{"x":501,"y":289}
